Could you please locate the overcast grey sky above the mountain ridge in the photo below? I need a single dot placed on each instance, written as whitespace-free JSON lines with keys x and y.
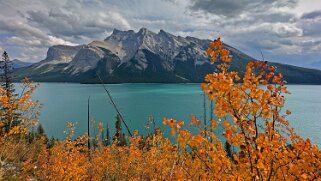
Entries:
{"x":286,"y":31}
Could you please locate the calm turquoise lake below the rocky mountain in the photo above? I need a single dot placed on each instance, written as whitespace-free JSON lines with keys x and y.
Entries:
{"x":64,"y":102}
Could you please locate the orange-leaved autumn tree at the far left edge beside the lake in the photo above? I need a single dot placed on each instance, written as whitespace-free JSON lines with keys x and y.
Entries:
{"x":15,"y":146}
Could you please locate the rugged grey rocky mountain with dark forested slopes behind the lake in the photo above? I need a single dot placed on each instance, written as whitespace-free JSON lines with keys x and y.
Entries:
{"x":143,"y":56}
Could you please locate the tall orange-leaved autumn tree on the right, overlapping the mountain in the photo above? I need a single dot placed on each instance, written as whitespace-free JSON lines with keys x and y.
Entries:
{"x":254,"y":120}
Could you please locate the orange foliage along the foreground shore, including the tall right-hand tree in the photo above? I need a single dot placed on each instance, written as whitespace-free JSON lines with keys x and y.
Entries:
{"x":265,"y":147}
